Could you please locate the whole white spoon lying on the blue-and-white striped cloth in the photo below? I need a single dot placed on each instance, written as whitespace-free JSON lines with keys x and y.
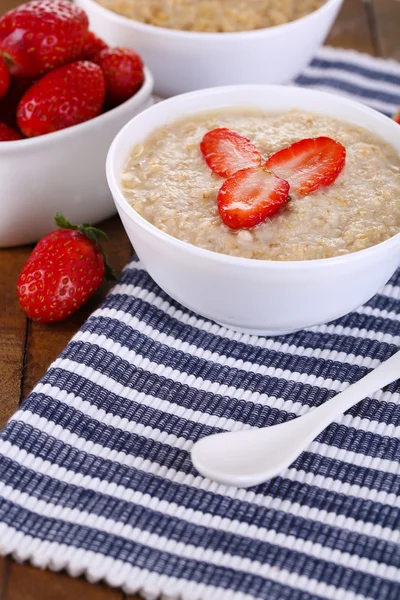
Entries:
{"x":249,"y":457}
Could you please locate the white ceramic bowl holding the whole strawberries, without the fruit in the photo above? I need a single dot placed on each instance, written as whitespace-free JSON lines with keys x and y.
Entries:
{"x":61,"y":171}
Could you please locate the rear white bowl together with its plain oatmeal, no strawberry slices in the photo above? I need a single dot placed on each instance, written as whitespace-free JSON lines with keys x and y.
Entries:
{"x":190,"y":45}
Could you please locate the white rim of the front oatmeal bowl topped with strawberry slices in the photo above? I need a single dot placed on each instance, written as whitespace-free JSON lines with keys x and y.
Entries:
{"x":202,"y":253}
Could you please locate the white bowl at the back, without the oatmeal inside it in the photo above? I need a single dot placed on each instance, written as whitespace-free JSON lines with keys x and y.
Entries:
{"x":182,"y":61}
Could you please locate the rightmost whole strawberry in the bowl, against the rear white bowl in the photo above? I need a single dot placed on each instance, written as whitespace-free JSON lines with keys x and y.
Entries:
{"x":123,"y":72}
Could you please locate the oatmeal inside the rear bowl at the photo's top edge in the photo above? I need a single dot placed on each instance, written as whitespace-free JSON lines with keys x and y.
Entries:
{"x":213,"y":15}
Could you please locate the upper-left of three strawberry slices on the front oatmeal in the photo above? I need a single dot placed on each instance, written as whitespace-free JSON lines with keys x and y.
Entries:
{"x":226,"y":152}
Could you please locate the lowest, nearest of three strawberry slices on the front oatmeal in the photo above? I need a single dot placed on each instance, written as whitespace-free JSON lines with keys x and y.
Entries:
{"x":250,"y":196}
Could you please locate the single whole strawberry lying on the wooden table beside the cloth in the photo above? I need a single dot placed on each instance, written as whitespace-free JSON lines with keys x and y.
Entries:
{"x":66,"y":267}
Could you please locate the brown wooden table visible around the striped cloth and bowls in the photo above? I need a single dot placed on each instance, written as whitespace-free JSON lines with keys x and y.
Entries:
{"x":27,"y":348}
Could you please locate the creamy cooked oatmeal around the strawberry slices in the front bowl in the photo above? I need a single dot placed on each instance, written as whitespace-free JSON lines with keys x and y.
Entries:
{"x":167,"y":181}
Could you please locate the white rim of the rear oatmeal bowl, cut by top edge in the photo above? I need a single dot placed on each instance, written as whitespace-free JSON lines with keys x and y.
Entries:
{"x":206,"y":35}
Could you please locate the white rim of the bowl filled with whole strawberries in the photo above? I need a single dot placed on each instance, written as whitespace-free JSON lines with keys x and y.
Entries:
{"x":138,"y":98}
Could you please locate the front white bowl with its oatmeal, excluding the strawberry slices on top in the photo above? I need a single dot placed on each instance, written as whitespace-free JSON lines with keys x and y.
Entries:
{"x":320,"y":256}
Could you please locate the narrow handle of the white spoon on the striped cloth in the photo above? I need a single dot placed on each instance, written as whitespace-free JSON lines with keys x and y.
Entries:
{"x":387,"y":372}
